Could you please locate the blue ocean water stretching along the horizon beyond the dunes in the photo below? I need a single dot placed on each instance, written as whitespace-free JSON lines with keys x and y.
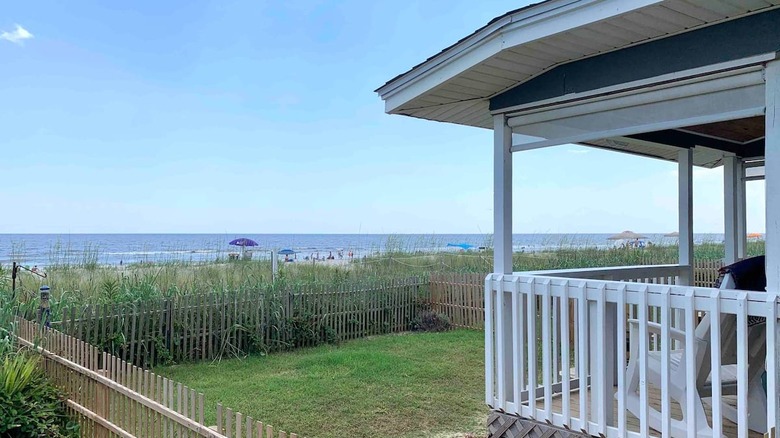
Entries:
{"x":115,"y":249}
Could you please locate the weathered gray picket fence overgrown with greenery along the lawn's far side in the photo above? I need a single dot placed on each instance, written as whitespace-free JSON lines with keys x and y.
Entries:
{"x":210,"y":326}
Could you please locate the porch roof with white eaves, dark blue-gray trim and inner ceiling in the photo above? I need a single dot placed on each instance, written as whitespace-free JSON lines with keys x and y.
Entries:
{"x":549,"y":51}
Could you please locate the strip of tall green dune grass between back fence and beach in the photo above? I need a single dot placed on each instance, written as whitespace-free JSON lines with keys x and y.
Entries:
{"x":90,"y":283}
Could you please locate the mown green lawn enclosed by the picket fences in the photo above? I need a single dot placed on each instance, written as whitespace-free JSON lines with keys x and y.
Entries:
{"x":408,"y":385}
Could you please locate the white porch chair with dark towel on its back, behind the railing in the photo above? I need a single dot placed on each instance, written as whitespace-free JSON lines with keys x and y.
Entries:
{"x":748,"y":274}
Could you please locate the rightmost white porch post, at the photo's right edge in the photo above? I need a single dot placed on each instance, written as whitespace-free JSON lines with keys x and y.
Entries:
{"x":772,"y":182}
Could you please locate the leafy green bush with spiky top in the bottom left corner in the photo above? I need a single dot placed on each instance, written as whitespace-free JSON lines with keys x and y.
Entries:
{"x":29,"y":404}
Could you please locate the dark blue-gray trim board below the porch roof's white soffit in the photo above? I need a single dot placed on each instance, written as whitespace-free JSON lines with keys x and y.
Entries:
{"x":749,"y":36}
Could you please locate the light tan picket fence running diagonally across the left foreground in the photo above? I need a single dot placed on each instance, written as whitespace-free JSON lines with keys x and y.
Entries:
{"x":113,"y":398}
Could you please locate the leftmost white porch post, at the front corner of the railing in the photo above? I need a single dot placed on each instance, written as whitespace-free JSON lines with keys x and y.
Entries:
{"x":502,"y":252}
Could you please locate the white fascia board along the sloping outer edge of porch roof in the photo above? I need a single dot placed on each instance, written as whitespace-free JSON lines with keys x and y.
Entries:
{"x":529,"y":25}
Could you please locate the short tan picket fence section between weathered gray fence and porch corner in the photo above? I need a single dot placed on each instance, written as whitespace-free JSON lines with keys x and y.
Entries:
{"x":461,"y":297}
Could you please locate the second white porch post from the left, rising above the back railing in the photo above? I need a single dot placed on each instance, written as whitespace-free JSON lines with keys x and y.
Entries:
{"x":685,"y":214}
